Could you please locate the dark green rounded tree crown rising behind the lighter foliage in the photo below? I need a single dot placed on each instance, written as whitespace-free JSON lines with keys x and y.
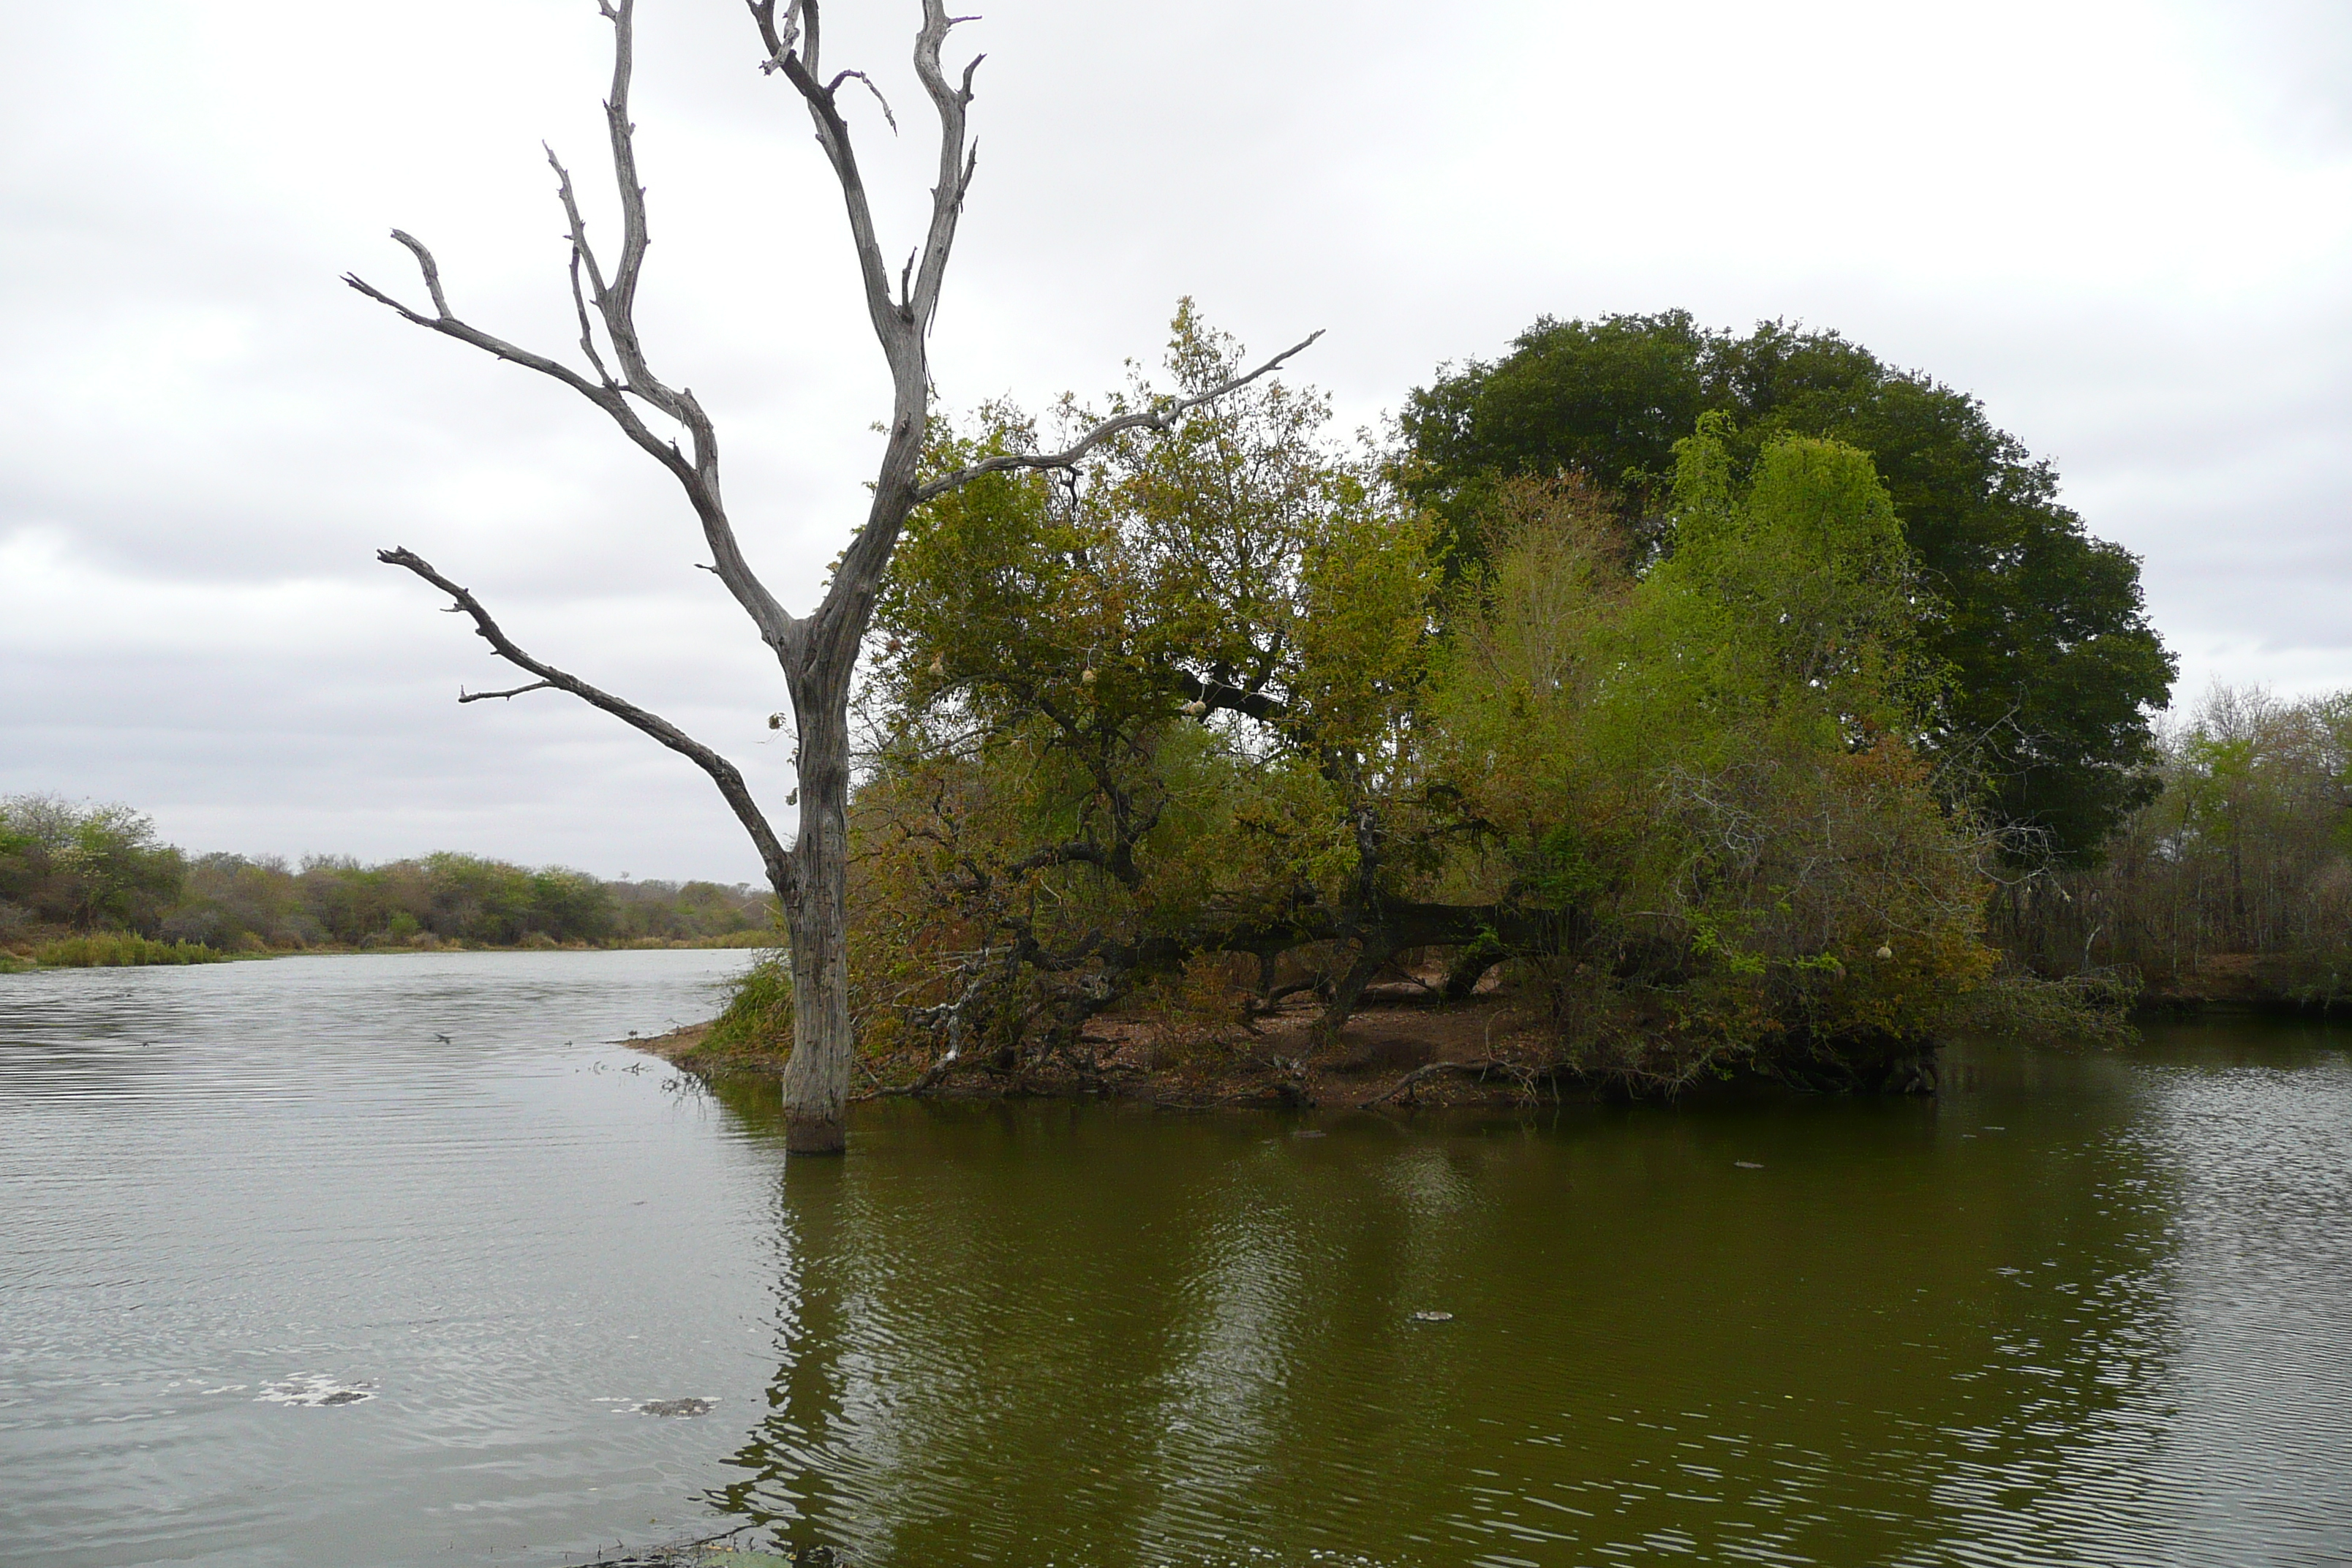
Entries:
{"x":2054,"y":666}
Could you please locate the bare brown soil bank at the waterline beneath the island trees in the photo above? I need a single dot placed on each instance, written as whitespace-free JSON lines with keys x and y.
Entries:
{"x":1403,"y":1047}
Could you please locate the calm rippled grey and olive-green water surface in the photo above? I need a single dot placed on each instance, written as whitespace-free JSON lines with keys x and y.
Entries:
{"x":293,"y":1280}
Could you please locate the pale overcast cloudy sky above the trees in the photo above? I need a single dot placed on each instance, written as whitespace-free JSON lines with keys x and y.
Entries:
{"x":2125,"y":227}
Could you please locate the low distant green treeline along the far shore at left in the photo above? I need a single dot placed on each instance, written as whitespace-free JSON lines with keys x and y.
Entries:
{"x":76,"y":871}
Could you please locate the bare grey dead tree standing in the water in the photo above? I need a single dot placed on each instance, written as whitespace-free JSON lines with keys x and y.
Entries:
{"x":820,"y":650}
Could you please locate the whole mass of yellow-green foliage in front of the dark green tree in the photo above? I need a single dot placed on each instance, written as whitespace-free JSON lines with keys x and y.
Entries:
{"x":1222,"y":697}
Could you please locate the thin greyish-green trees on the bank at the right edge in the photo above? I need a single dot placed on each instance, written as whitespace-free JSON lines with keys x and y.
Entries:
{"x":2243,"y":855}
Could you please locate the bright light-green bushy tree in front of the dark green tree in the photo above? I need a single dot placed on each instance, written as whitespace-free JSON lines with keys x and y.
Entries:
{"x":1706,"y":770}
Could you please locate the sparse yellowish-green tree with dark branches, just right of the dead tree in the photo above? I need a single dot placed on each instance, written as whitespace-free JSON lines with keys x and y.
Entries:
{"x":1121,"y":713}
